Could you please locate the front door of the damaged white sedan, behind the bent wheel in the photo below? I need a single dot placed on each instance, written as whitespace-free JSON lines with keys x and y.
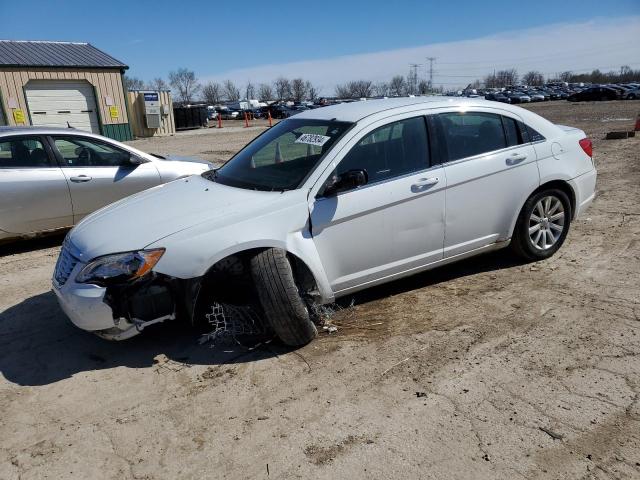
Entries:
{"x":393,"y":223}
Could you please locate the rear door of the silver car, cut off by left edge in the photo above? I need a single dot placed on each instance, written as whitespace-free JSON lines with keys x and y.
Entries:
{"x":34,"y":195}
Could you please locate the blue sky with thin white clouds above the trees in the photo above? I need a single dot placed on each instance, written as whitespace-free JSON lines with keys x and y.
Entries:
{"x":232,"y":39}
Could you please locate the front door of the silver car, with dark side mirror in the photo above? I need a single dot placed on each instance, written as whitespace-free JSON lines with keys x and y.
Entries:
{"x":100,"y":173}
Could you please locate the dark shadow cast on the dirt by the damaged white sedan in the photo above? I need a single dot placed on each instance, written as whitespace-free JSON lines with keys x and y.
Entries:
{"x":39,"y":345}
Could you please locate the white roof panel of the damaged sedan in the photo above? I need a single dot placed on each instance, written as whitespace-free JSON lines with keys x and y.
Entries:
{"x":356,"y":111}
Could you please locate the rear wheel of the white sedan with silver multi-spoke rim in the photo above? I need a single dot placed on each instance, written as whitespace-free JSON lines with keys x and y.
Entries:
{"x":540,"y":229}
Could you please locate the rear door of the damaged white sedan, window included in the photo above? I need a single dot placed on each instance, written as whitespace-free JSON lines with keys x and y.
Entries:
{"x":491,"y":168}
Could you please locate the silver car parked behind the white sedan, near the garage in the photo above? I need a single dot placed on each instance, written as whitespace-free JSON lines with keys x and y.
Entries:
{"x":50,"y":178}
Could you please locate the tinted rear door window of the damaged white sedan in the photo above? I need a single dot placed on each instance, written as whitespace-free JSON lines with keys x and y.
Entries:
{"x":466,"y":134}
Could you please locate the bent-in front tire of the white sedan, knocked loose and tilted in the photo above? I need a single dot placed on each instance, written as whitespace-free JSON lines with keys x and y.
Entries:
{"x":284,"y":308}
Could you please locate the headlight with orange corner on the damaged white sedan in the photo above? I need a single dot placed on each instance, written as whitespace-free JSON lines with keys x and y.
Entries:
{"x":120,"y":267}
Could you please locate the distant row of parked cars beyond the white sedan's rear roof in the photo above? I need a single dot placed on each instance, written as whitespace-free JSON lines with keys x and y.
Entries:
{"x":570,"y":92}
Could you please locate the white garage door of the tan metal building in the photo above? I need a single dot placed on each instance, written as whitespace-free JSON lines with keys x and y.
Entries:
{"x":62,"y":103}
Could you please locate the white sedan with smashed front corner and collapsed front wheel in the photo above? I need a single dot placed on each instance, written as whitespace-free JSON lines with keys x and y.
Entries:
{"x":331,"y":201}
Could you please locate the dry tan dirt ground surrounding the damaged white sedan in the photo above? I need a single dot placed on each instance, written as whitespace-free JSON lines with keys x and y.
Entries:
{"x":487,"y":369}
